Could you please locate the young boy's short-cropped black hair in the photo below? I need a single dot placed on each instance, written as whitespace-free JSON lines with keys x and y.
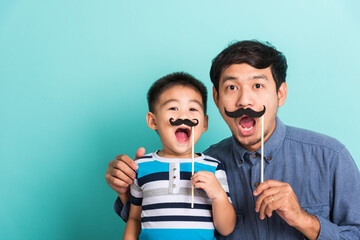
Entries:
{"x":173,"y":79}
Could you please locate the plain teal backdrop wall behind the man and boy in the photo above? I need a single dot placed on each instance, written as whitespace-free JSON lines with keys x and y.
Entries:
{"x":73,"y":83}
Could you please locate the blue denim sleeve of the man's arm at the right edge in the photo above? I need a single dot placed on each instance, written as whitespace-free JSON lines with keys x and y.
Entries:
{"x":344,"y":222}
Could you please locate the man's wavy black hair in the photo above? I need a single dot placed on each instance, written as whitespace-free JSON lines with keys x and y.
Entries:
{"x":256,"y":54}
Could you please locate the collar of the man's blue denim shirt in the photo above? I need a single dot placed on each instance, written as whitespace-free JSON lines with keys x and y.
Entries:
{"x":271,"y":146}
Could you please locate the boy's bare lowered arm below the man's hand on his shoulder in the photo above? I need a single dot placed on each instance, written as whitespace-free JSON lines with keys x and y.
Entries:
{"x":133,"y":225}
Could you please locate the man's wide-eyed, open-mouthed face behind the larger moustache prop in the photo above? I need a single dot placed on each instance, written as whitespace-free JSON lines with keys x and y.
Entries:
{"x":242,"y":86}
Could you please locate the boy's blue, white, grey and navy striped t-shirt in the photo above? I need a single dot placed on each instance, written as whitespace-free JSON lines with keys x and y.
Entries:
{"x":163,"y":189}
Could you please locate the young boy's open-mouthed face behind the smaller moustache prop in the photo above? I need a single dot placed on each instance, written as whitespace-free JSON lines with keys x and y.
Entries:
{"x":177,"y":102}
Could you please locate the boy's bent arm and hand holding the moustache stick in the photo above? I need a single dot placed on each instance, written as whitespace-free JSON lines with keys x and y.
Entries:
{"x":224,"y":216}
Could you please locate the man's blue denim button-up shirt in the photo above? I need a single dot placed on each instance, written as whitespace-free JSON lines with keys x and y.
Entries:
{"x":320,"y":170}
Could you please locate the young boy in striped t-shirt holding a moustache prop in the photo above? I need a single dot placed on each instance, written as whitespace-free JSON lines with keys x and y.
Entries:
{"x":161,"y":193}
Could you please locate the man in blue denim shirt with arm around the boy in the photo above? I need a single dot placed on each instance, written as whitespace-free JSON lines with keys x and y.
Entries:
{"x":313,"y":186}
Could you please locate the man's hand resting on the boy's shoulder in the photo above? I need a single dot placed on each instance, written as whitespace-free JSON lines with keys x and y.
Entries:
{"x":121,"y":172}
